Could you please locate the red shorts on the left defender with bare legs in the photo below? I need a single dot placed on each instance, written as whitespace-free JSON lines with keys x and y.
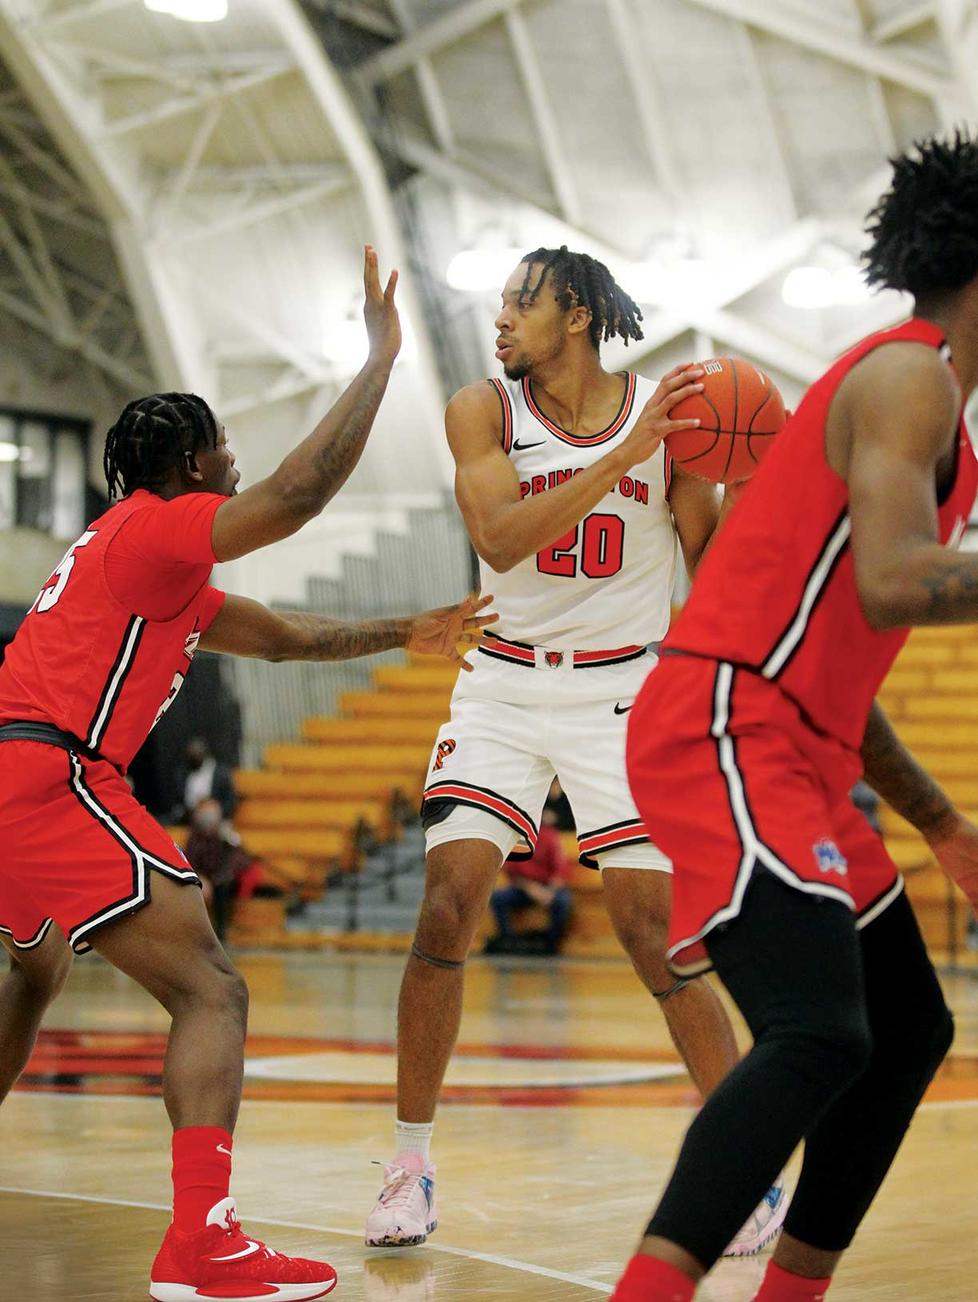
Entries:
{"x":77,"y":847}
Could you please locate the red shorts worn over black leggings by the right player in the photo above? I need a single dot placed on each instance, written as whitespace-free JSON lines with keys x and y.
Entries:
{"x":730,"y":781}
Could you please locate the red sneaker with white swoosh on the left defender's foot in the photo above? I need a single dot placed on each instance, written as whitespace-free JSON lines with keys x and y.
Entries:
{"x":222,"y":1264}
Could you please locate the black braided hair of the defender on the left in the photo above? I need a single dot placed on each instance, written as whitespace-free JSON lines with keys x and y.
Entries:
{"x":153,"y":436}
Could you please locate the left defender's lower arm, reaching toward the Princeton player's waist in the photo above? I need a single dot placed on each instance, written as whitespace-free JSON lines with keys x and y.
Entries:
{"x":248,"y":628}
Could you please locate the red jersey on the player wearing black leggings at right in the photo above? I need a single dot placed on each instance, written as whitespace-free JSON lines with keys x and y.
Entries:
{"x":777,"y":593}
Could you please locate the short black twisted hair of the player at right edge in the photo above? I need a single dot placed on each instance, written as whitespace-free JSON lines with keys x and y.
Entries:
{"x":925,"y":229}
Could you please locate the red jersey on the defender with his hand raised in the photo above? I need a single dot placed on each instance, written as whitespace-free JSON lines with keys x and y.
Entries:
{"x":85,"y":659}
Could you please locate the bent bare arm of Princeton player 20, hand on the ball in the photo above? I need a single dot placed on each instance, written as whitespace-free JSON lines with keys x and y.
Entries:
{"x":506,"y":528}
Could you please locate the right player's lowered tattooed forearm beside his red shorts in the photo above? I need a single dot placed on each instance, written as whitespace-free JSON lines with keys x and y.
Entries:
{"x":910,"y":790}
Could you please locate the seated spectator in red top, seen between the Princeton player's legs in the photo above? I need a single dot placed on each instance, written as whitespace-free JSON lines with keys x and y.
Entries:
{"x":541,"y":881}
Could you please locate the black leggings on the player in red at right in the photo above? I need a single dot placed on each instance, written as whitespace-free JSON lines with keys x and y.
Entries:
{"x":850,"y":1029}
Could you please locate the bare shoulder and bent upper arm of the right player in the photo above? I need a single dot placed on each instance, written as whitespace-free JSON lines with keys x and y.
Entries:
{"x":895,"y":425}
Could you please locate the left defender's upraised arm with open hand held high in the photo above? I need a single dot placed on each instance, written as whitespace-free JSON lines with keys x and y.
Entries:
{"x":320,"y":467}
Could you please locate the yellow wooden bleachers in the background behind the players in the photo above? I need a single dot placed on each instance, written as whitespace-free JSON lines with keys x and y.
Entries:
{"x":305,"y":812}
